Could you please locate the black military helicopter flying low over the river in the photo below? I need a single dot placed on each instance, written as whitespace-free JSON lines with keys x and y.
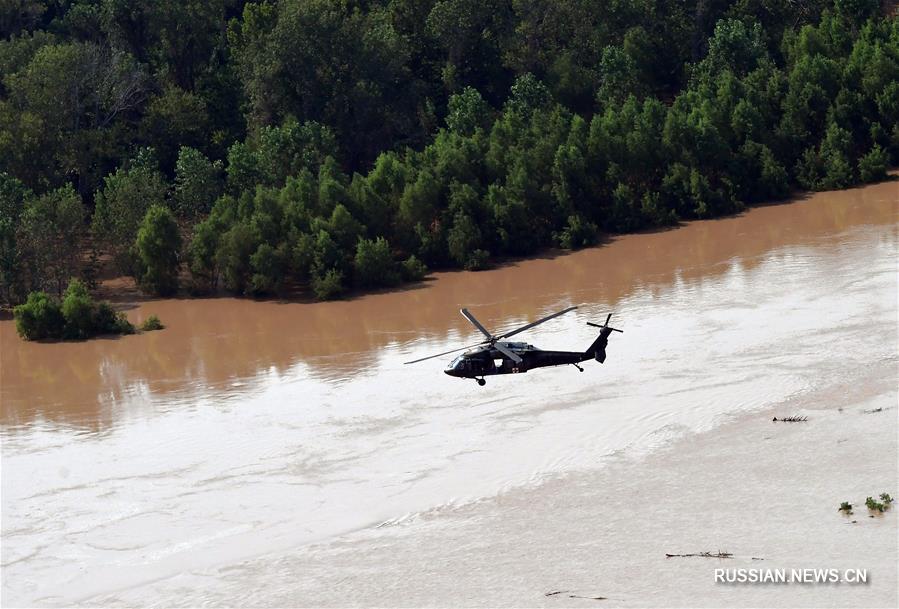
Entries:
{"x":496,"y":356}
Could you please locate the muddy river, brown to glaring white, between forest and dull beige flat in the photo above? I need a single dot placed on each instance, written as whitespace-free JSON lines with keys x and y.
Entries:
{"x":246,"y":429}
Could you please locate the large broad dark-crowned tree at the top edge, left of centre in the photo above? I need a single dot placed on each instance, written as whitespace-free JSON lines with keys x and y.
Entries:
{"x":288,"y":54}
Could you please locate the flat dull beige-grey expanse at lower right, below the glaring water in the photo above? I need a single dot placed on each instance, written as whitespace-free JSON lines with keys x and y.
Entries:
{"x":765,"y":492}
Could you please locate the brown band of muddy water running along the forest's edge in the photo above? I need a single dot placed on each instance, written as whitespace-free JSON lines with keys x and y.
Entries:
{"x":211,"y":344}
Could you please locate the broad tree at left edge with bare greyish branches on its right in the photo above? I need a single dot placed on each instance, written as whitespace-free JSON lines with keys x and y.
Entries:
{"x":63,"y":110}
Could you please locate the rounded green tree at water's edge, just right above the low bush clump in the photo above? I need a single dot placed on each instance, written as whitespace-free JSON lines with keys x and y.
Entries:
{"x":157,"y":249}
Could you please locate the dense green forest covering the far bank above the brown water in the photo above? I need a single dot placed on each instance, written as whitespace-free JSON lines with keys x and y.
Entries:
{"x":266,"y":148}
